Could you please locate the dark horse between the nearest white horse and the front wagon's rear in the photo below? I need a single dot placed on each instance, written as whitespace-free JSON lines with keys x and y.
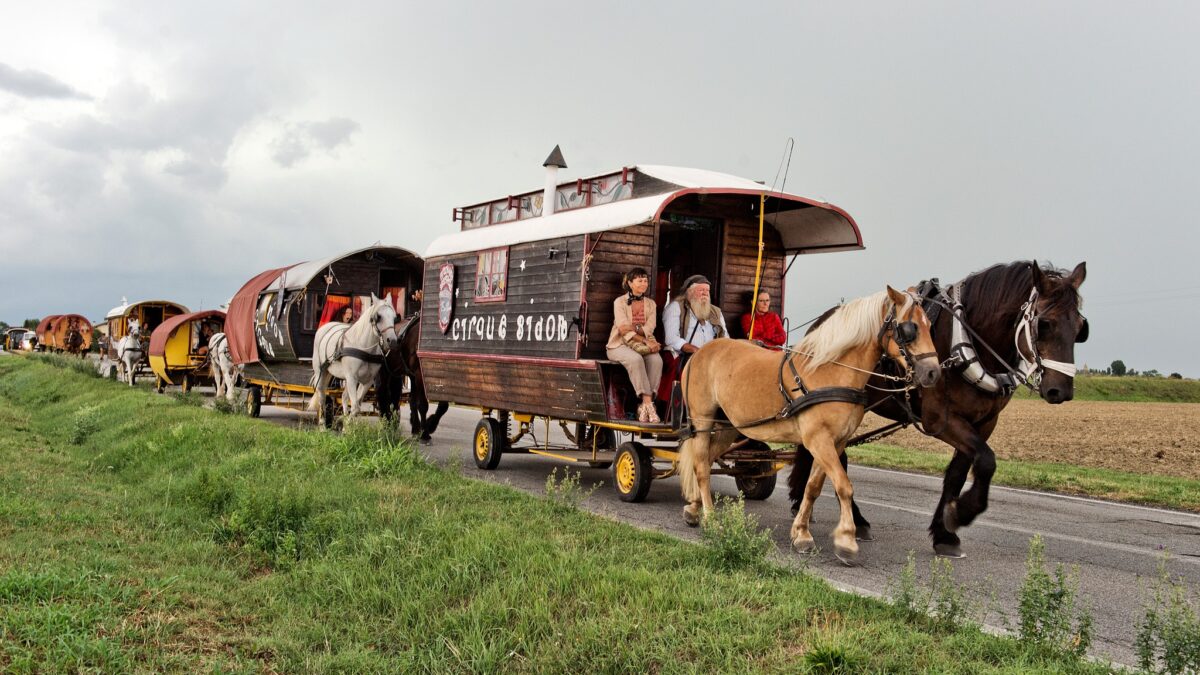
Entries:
{"x":399,"y":365}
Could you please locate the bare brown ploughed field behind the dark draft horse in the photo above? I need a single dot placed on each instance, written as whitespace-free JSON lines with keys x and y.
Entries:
{"x":1157,"y":439}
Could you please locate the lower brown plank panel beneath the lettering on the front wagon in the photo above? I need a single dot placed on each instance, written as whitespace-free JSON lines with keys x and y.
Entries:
{"x":565,"y":391}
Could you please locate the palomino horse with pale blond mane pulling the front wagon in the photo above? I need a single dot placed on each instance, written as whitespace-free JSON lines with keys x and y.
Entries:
{"x":821,"y":385}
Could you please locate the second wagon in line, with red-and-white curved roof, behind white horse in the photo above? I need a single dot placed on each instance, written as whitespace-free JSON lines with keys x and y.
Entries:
{"x":274,"y":319}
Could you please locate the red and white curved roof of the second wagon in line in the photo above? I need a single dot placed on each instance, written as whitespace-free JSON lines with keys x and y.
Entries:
{"x":241,"y":318}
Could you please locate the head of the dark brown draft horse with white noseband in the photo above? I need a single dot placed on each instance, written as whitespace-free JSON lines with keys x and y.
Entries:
{"x":1051,"y":327}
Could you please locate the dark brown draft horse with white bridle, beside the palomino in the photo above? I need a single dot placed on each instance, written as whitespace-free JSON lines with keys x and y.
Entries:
{"x":963,"y":415}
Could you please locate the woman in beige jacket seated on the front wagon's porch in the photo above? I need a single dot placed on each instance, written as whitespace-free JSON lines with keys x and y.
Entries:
{"x":634,"y":318}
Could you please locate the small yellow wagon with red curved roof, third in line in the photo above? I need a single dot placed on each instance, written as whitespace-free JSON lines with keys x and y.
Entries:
{"x":175,"y":356}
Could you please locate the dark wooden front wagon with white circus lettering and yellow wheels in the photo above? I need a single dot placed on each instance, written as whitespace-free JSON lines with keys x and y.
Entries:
{"x":525,"y":304}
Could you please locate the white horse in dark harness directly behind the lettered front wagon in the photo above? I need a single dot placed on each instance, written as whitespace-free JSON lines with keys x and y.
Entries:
{"x":353,"y":354}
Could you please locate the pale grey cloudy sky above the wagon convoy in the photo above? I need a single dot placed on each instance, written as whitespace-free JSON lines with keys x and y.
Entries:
{"x":176,"y":150}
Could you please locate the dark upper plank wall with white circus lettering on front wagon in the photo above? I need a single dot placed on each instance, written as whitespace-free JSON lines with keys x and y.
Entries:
{"x":549,"y":289}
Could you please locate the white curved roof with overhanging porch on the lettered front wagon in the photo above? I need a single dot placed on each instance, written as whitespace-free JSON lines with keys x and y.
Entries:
{"x":805,"y":225}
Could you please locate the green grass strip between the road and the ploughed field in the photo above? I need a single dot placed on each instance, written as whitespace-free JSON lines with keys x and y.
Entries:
{"x":1103,"y":483}
